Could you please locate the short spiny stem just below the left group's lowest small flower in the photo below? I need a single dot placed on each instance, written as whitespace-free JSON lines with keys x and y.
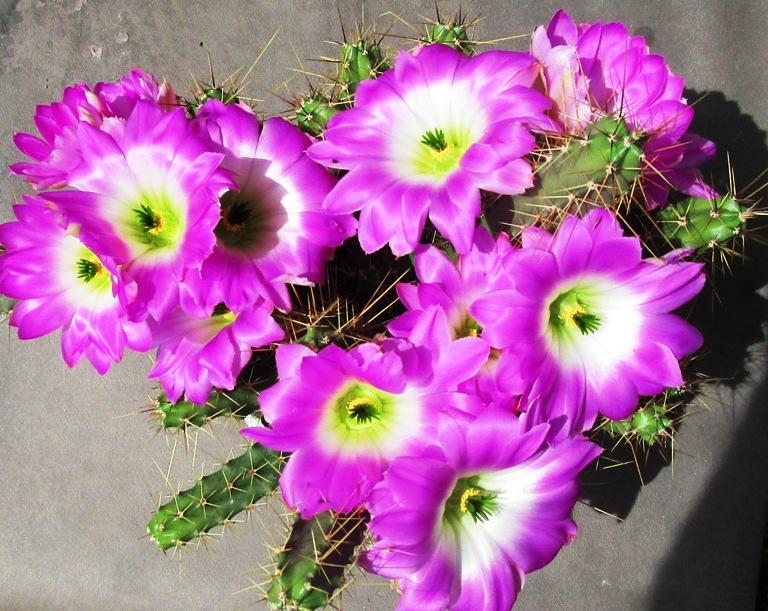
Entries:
{"x":238,"y":403}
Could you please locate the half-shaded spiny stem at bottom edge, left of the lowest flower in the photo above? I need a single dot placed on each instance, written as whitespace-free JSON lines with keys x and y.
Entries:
{"x":310,"y":568}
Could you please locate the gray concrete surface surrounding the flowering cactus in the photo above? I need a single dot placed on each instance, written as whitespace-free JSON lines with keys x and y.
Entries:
{"x":78,"y":481}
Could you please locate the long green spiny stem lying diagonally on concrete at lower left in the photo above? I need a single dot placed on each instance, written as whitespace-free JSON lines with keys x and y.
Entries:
{"x":216,"y":498}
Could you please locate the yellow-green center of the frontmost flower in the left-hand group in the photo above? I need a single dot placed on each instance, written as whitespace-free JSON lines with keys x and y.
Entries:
{"x":156,"y":223}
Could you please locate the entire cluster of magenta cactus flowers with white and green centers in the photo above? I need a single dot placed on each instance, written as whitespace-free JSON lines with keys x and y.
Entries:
{"x":461,"y":432}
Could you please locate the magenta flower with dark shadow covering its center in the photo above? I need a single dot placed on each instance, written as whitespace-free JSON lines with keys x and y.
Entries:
{"x":273,"y":230}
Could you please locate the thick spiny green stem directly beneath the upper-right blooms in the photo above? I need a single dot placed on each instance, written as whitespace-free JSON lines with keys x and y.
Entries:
{"x":596,"y":169}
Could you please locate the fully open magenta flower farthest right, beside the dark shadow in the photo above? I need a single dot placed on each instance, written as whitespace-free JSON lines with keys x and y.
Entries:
{"x":588,"y":326}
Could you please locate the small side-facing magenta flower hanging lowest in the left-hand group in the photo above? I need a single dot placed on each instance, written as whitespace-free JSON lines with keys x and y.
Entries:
{"x":195,"y":355}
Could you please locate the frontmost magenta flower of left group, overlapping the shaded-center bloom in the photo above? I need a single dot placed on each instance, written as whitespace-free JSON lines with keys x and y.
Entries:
{"x":149,"y":198}
